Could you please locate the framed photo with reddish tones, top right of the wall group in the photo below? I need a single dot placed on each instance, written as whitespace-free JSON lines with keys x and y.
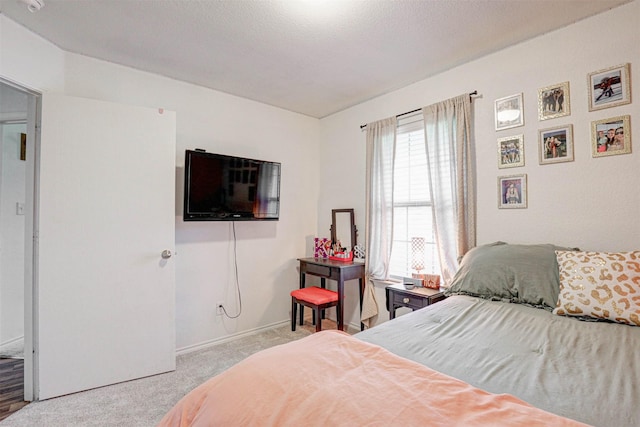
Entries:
{"x":609,"y":87}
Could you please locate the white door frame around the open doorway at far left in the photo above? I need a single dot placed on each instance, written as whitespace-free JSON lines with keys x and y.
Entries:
{"x":30,"y":238}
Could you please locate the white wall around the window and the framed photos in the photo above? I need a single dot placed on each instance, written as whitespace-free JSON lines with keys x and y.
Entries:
{"x":592,"y":203}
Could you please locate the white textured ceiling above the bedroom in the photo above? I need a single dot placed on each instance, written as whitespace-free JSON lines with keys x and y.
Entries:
{"x":315,"y":57}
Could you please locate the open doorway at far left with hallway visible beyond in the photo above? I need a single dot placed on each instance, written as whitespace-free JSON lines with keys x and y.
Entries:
{"x":17,"y":166}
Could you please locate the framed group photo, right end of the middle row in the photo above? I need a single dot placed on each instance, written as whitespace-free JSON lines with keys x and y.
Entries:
{"x":610,"y":137}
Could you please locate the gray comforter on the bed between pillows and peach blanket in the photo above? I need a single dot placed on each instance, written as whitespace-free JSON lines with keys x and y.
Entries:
{"x":587,"y":371}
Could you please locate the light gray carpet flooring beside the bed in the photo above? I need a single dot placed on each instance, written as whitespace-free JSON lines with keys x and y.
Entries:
{"x":144,"y":402}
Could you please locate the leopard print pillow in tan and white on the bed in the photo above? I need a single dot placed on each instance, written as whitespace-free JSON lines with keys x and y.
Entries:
{"x":600,"y":285}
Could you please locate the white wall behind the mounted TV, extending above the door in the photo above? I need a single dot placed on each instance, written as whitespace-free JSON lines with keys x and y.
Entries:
{"x":217,"y":122}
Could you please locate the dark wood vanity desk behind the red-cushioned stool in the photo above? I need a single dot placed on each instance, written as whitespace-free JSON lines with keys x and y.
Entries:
{"x":333,"y":270}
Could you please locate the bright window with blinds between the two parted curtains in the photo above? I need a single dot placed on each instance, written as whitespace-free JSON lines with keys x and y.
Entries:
{"x":413,"y":237}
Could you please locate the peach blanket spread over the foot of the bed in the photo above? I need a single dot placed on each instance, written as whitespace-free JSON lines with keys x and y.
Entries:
{"x":331,"y":378}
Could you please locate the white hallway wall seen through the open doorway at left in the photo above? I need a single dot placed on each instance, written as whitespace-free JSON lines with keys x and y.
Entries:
{"x":12,"y":191}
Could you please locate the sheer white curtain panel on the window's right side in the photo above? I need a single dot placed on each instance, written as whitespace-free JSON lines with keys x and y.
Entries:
{"x":450,"y":158}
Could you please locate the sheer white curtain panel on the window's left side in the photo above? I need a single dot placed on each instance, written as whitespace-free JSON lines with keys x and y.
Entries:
{"x":381,"y":142}
